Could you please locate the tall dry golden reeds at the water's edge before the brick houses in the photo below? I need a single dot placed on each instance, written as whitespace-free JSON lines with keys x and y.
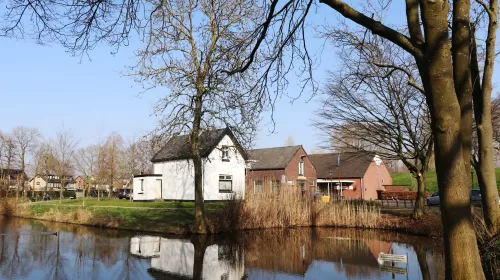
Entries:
{"x":291,"y":209}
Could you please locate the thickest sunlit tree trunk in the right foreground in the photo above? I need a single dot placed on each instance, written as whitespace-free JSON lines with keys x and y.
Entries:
{"x":462,"y":259}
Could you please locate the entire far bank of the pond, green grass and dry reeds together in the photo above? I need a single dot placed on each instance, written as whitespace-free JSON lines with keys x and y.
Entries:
{"x":256,"y":212}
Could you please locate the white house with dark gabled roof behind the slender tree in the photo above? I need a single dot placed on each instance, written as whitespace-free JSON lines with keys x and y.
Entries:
{"x":173,"y":178}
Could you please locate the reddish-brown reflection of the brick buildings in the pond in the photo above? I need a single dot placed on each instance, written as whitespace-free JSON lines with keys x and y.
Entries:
{"x":348,"y":257}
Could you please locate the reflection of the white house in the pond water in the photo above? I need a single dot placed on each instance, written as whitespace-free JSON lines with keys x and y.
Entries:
{"x":177,"y":258}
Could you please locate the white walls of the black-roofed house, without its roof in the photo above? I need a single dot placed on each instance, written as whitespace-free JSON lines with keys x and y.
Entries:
{"x":178,"y":175}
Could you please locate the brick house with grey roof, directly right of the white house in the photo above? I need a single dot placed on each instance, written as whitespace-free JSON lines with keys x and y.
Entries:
{"x":273,"y":168}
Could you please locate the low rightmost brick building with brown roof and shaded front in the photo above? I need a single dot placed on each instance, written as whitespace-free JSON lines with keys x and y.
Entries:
{"x":359,"y":175}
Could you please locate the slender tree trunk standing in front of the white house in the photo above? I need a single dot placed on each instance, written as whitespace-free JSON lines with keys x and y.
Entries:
{"x":199,"y":223}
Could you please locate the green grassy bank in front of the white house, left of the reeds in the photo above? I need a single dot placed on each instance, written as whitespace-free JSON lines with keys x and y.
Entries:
{"x":165,"y":217}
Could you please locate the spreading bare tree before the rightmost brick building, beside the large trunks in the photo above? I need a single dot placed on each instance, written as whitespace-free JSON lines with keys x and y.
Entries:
{"x":369,"y":107}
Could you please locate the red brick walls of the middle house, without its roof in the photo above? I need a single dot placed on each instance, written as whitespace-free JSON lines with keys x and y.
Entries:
{"x":291,"y":173}
